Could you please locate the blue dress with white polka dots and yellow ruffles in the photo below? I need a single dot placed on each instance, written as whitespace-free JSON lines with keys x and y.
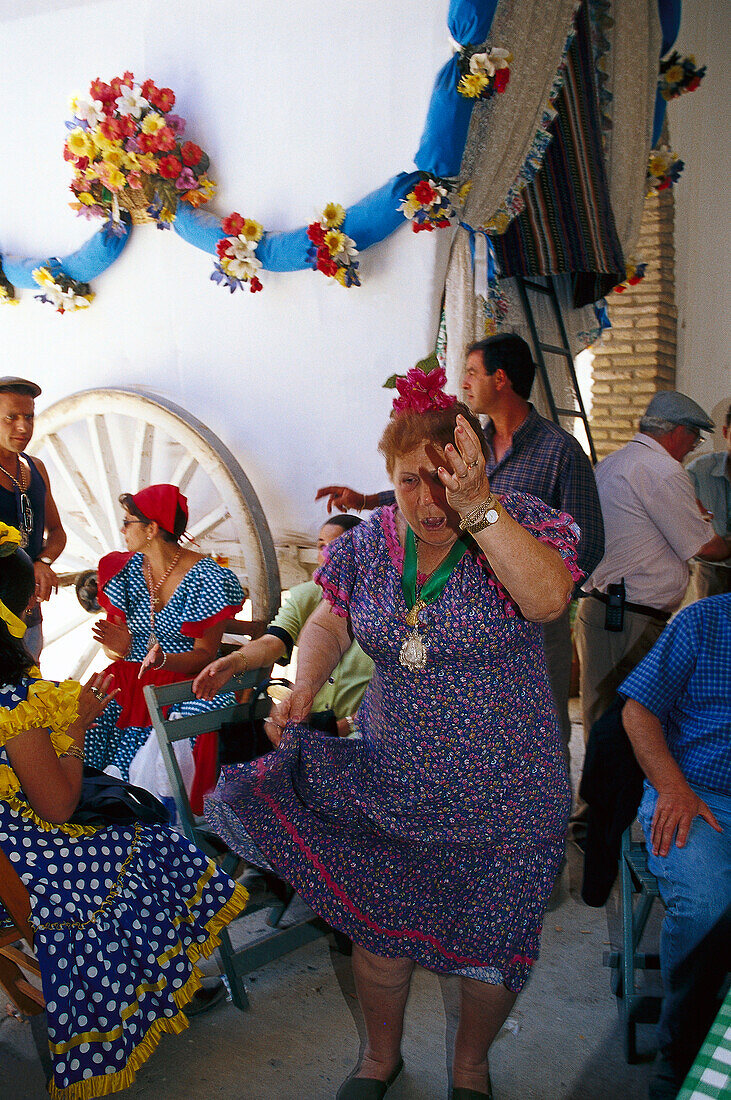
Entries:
{"x":121,"y":916}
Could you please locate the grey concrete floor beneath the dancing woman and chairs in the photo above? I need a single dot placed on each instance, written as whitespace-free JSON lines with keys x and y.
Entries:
{"x":302,"y":1035}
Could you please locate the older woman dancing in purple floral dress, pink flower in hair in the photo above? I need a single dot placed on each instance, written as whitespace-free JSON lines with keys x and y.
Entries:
{"x":437,"y":839}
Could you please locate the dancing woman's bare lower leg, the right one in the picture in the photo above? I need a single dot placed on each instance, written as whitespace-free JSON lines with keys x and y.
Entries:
{"x":483,"y":1011}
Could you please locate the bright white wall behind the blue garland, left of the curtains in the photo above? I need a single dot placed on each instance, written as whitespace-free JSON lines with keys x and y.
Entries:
{"x":296,"y":105}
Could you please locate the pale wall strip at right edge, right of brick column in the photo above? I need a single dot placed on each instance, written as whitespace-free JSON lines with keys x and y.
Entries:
{"x":701,"y":136}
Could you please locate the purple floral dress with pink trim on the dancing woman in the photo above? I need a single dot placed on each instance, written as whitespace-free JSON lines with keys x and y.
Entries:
{"x":439,"y":835}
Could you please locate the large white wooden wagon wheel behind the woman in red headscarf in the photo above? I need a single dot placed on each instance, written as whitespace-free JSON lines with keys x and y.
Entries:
{"x":102,"y":443}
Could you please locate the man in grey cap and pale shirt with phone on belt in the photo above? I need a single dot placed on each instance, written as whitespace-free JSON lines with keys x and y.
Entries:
{"x":654,"y":527}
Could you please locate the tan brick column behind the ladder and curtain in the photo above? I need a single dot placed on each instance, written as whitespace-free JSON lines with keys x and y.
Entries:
{"x":636,"y":358}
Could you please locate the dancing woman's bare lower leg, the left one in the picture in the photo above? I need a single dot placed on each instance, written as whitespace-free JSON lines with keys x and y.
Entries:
{"x":383,"y":989}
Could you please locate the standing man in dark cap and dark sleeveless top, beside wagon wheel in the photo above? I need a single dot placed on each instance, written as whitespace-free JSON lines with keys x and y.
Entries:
{"x":26,"y":498}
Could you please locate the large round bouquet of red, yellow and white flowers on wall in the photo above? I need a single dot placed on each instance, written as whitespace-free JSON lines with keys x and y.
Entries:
{"x":128,"y":150}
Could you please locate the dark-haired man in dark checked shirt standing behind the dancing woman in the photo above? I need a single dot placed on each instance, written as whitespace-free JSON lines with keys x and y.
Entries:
{"x":529,"y":455}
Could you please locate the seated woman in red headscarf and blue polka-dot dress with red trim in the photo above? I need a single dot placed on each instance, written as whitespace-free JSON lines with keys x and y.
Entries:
{"x":165,"y":611}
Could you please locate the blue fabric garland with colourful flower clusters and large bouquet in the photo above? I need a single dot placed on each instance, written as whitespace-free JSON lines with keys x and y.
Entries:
{"x":132,"y":164}
